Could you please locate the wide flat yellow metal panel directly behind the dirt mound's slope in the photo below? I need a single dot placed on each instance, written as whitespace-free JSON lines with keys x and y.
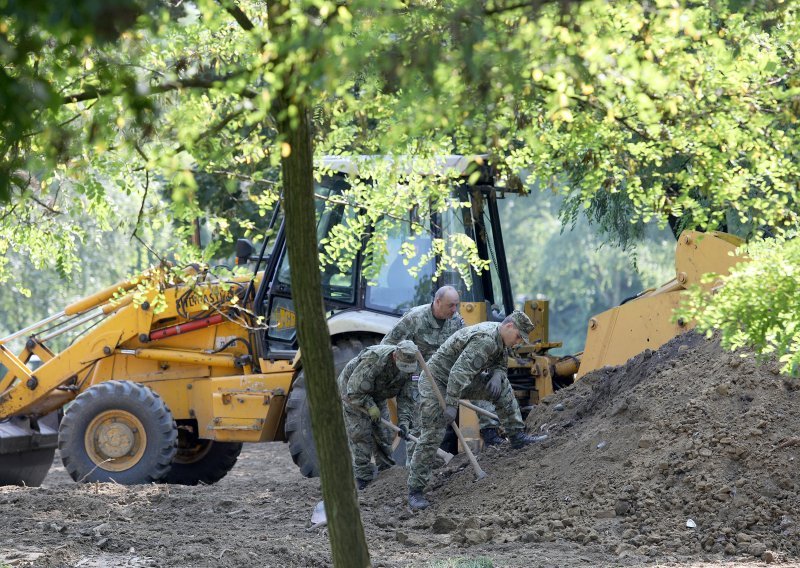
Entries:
{"x":618,"y":334}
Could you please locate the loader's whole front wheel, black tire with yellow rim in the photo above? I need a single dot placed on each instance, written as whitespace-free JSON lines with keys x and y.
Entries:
{"x":118,"y":431}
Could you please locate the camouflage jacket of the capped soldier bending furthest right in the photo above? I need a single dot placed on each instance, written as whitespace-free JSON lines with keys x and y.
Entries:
{"x":462,"y":357}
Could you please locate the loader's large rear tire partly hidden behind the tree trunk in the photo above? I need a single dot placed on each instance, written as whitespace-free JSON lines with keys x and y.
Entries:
{"x":298,"y":413}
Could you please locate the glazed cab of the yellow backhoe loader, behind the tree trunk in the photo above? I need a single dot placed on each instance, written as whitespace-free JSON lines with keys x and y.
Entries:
{"x":369,"y":309}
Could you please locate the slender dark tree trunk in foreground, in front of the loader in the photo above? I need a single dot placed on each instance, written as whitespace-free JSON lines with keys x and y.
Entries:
{"x":348,"y":543}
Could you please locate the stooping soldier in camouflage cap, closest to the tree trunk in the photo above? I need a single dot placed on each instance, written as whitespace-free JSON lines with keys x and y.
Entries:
{"x":377,"y":374}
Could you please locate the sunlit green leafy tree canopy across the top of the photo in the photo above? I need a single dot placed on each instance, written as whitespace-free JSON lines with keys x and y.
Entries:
{"x":683,"y":113}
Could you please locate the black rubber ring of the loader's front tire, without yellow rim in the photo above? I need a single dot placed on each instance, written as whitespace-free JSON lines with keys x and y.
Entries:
{"x":133,"y":399}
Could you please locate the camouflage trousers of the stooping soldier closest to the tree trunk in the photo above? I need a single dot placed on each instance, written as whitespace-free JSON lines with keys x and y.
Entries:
{"x":367,"y":440}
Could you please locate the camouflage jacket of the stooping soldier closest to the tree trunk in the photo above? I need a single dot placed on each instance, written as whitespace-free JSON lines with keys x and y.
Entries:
{"x":371,"y":378}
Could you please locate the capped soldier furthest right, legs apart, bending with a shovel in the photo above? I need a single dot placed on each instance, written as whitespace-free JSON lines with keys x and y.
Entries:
{"x":458,"y":368}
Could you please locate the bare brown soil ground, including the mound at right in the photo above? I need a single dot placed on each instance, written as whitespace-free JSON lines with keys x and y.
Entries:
{"x":687,"y":435}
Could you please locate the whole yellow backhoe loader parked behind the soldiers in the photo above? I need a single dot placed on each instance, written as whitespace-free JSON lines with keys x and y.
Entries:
{"x":165,"y":384}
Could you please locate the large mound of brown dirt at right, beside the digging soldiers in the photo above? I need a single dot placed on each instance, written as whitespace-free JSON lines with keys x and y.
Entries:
{"x":688,"y":451}
